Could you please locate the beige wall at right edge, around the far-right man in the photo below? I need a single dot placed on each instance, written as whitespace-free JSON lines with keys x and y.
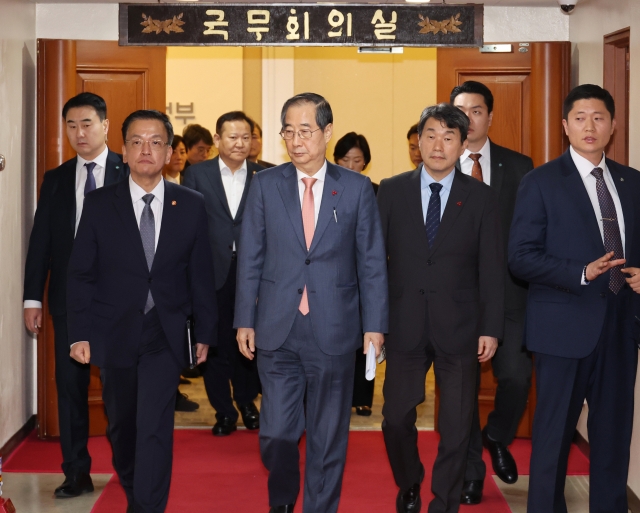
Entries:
{"x":588,"y":24}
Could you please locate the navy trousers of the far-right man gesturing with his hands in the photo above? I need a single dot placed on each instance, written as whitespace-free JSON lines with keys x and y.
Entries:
{"x":606,"y":378}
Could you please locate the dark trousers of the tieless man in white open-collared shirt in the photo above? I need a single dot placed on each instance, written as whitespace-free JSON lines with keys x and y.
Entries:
{"x":225,"y":364}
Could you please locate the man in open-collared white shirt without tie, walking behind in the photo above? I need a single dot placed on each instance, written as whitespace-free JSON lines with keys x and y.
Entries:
{"x":224,"y":183}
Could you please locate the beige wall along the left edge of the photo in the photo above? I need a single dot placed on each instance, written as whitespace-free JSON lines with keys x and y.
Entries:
{"x":17,"y":194}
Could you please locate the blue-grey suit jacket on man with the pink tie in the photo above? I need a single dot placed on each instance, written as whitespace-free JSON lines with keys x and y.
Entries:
{"x":344,"y":267}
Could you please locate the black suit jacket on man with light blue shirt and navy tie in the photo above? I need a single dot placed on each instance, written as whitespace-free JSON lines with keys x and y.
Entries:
{"x":459,"y":282}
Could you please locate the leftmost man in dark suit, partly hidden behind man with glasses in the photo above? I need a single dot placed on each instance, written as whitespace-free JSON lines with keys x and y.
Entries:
{"x":54,"y":228}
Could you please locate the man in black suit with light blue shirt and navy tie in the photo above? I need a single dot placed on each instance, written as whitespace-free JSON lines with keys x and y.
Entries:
{"x":446,"y":295}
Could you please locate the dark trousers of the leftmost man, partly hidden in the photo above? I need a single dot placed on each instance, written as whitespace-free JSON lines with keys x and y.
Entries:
{"x":72,"y":383}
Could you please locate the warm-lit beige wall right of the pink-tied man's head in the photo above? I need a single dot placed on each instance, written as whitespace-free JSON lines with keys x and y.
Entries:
{"x":379,"y":96}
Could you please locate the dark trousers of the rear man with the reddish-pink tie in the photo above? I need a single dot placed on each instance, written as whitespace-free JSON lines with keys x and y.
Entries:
{"x":512,"y":368}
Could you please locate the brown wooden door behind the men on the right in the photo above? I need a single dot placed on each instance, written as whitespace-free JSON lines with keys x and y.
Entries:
{"x":528,"y":84}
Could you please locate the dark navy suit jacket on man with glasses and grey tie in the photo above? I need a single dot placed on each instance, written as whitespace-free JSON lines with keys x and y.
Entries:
{"x":109,"y":279}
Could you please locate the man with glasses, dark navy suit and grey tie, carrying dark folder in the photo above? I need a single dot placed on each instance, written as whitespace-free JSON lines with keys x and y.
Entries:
{"x":140,"y":266}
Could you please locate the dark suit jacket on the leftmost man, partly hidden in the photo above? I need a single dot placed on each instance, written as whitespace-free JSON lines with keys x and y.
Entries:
{"x":54,"y":229}
